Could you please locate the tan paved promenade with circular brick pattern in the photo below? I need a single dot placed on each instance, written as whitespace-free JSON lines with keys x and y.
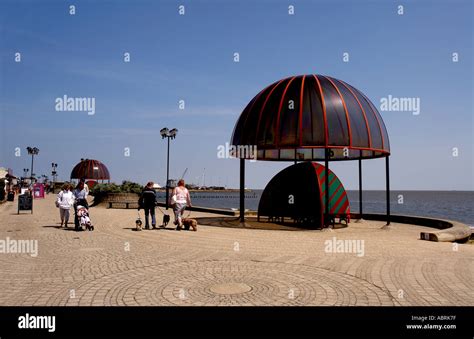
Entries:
{"x":115,"y":265}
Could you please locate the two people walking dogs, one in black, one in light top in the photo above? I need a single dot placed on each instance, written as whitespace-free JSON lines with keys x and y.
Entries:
{"x":179,"y":200}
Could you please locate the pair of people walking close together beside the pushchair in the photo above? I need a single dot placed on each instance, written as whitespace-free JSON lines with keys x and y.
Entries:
{"x":74,"y":198}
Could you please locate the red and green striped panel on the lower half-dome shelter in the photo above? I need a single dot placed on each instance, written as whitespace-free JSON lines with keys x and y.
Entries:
{"x":338,"y":201}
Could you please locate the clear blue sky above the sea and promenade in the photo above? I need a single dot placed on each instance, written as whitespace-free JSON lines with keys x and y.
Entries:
{"x":191,"y":57}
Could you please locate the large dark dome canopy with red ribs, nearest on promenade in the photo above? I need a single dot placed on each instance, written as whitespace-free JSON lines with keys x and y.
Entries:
{"x":297,"y":118}
